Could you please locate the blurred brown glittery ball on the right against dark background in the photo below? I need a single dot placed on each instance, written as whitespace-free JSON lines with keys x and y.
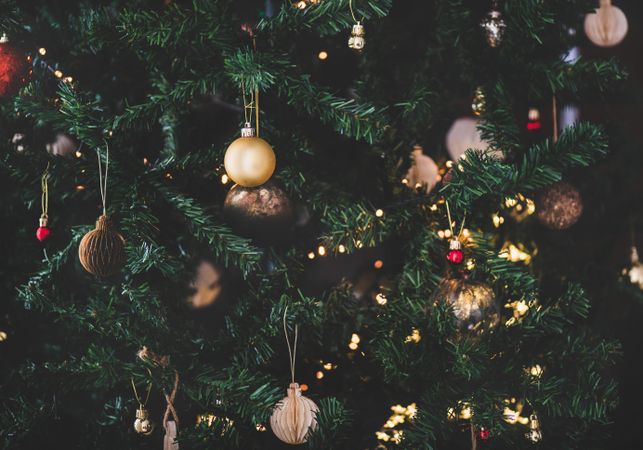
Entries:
{"x":559,"y":206}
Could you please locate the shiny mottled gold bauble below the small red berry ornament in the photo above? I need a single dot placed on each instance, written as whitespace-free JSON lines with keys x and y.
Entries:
{"x":474,"y":305}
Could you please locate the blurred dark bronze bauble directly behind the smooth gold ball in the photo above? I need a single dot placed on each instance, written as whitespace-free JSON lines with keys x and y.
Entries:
{"x":263,"y":212}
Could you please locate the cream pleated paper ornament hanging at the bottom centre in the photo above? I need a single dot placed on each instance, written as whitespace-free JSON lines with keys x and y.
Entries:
{"x":294,"y":417}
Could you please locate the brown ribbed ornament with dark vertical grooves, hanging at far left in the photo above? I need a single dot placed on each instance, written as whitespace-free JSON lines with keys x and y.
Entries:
{"x":102,"y":250}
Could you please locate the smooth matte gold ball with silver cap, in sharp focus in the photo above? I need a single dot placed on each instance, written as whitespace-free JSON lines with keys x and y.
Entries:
{"x":249,"y":161}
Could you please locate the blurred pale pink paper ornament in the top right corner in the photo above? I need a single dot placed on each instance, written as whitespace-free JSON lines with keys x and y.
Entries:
{"x":607,"y":26}
